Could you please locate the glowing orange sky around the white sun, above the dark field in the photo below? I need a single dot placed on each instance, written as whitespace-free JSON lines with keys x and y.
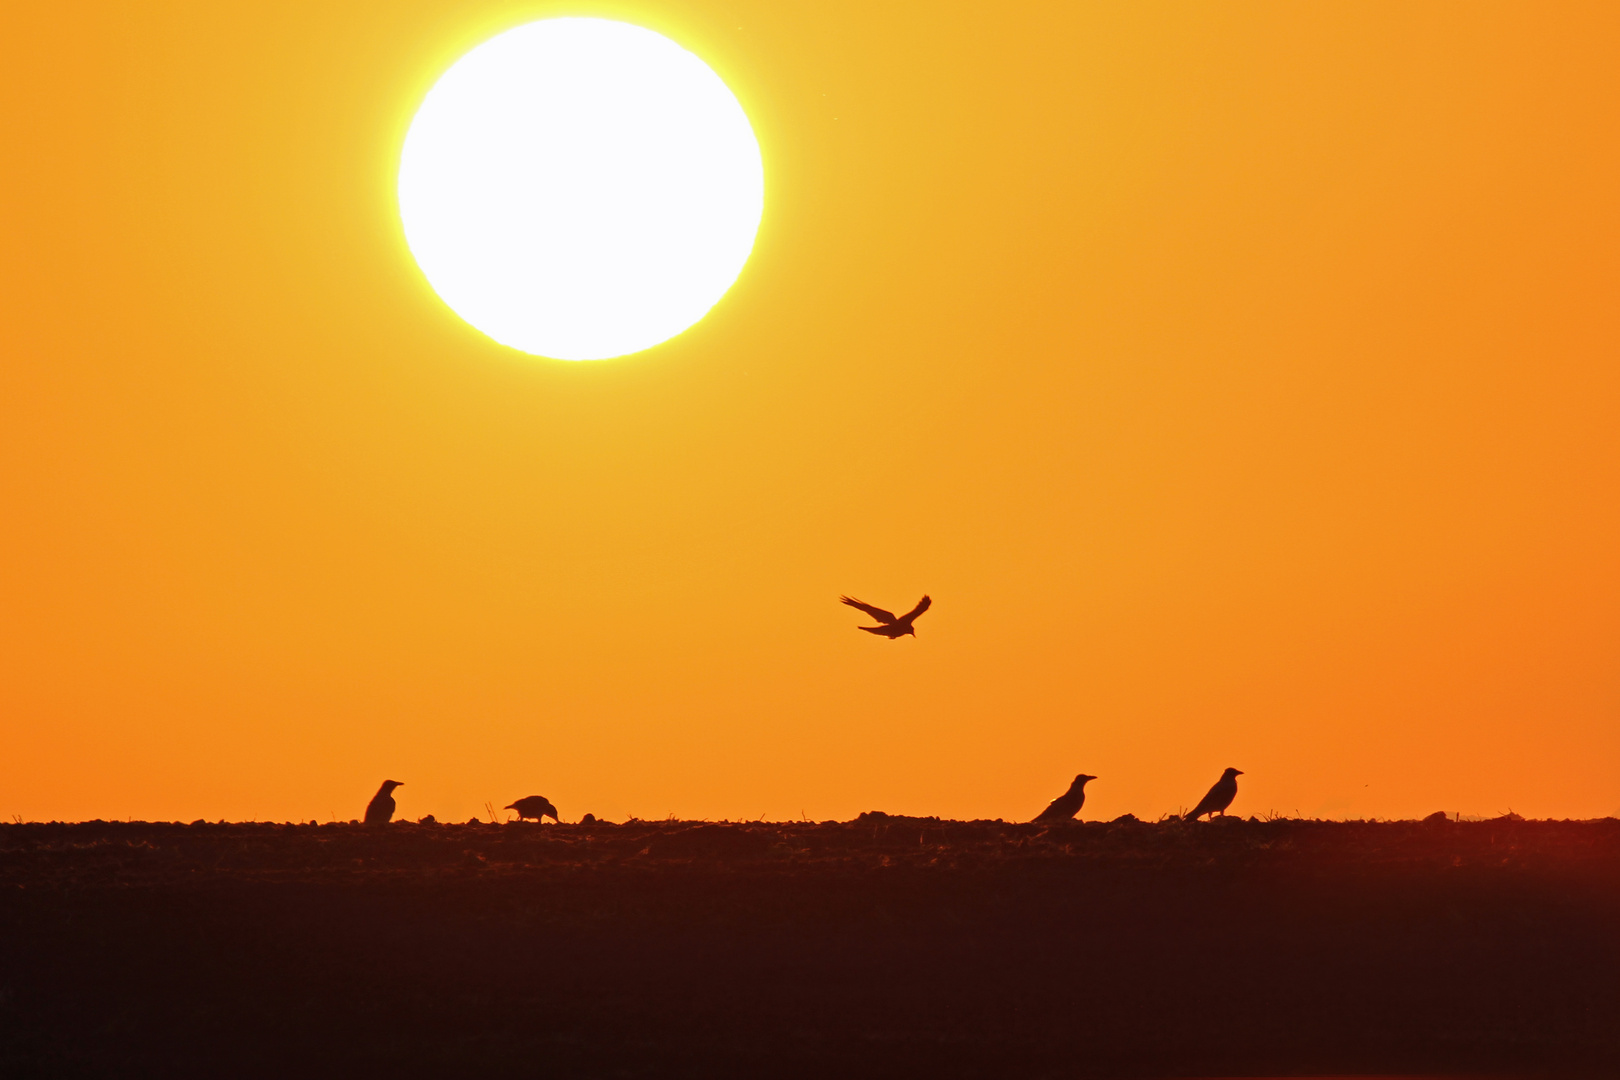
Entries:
{"x":1240,"y":380}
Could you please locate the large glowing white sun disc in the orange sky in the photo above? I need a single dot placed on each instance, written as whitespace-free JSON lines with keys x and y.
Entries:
{"x":581,"y":189}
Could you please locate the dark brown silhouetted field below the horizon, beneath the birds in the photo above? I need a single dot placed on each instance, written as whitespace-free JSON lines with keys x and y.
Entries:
{"x":880,"y":948}
